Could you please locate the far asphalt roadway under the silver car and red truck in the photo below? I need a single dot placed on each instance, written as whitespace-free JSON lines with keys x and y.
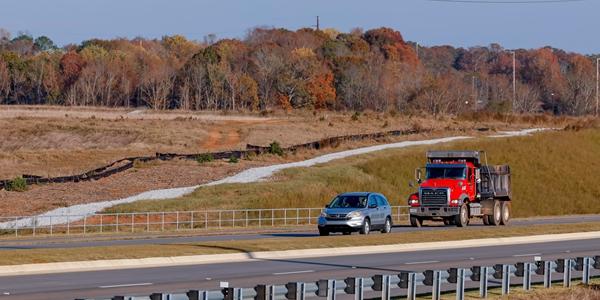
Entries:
{"x":76,"y":242}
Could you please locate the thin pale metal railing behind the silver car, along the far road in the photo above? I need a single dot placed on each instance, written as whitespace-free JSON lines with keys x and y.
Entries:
{"x":149,"y":222}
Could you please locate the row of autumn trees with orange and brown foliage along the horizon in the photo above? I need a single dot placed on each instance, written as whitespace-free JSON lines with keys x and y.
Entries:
{"x":304,"y":69}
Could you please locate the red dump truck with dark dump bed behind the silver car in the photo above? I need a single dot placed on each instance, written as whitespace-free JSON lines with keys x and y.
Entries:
{"x":457,"y":187}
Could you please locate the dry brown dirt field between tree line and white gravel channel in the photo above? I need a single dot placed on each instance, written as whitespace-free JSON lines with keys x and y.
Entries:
{"x":54,"y":141}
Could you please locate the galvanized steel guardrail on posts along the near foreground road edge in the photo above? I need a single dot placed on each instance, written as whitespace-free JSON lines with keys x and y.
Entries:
{"x":406,"y":284}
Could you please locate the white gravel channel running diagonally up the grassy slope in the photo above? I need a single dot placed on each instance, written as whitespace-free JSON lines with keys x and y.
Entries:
{"x":78,"y":212}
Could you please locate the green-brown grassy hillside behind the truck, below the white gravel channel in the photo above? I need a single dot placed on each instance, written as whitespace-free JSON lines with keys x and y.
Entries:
{"x":554,"y":173}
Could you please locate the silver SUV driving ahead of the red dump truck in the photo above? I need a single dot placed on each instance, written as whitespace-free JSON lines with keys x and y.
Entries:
{"x":359,"y":211}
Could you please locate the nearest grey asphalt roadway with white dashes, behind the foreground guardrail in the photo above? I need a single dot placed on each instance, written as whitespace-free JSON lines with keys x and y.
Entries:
{"x":248,"y":274}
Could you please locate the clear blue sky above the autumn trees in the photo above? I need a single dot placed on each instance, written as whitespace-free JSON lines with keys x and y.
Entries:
{"x":573,"y":26}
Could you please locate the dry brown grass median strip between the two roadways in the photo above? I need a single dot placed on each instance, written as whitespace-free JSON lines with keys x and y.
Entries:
{"x":14,"y":257}
